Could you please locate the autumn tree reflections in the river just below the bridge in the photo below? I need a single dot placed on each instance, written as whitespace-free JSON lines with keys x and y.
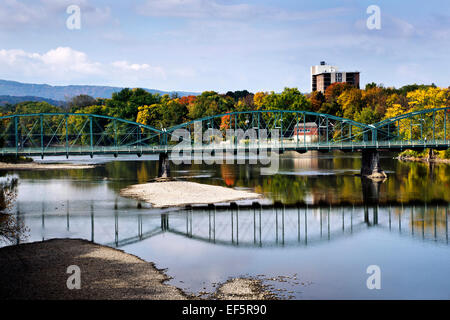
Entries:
{"x":310,"y":178}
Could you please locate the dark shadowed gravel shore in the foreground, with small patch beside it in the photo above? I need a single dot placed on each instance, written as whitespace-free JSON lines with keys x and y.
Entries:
{"x":38,"y":271}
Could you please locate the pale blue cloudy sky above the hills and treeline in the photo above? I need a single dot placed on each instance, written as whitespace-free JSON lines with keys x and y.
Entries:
{"x":199,"y":45}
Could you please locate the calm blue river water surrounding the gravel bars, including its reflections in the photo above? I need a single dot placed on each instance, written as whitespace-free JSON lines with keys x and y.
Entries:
{"x":328,"y":225}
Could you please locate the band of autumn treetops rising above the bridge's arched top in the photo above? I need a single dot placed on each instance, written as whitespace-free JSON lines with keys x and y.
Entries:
{"x":369,"y":105}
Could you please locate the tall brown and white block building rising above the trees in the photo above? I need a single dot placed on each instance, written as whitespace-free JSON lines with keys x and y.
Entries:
{"x":323,"y":75}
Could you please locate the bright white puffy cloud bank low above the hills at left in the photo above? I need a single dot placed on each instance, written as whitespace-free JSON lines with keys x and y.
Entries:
{"x":66,"y":64}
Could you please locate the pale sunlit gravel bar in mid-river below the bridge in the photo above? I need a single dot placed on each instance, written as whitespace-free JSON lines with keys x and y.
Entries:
{"x":182,"y":193}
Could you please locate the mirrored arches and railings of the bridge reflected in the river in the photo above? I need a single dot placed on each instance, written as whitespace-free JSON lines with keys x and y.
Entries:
{"x":242,"y":226}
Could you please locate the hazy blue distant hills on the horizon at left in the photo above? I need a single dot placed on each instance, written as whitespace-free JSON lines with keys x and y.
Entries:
{"x":62,"y":93}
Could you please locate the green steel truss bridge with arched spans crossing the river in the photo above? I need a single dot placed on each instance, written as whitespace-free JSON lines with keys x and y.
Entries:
{"x":69,"y":134}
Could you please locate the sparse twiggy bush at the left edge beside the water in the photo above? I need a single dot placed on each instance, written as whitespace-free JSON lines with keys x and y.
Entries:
{"x":10,"y":227}
